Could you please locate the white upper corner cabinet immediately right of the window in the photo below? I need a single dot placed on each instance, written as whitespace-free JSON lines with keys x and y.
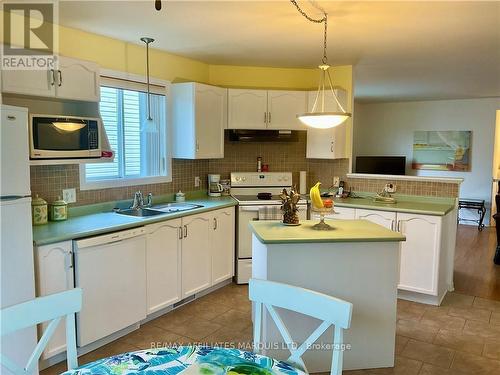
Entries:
{"x":199,"y":118}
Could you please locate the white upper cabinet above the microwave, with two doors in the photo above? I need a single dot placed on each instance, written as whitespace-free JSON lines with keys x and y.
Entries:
{"x":72,"y":79}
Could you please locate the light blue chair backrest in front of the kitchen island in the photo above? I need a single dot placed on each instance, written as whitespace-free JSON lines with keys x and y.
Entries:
{"x":332,"y":311}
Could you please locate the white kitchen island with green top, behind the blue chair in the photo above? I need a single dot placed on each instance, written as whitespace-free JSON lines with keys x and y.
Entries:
{"x":357,"y":261}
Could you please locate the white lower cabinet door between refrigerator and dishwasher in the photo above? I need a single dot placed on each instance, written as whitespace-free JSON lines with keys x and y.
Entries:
{"x":54,"y":274}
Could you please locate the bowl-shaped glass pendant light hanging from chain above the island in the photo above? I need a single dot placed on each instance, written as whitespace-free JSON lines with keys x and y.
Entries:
{"x":318,"y":117}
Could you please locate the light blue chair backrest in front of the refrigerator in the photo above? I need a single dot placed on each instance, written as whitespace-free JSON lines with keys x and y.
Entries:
{"x":50,"y":308}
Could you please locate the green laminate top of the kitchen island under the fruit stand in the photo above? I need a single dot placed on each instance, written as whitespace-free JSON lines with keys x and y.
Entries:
{"x":274,"y":232}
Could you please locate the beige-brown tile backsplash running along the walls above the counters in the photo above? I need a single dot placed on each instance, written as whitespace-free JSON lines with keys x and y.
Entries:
{"x":49,"y":181}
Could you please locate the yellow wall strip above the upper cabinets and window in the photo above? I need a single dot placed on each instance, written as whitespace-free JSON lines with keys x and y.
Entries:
{"x":129,"y":57}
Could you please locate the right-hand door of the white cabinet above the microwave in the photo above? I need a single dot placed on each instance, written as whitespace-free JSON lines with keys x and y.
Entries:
{"x":77,"y":80}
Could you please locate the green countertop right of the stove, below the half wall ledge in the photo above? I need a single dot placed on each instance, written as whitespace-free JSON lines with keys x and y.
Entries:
{"x":435,"y":206}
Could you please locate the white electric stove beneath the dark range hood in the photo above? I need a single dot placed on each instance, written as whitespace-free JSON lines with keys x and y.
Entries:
{"x":244,"y":188}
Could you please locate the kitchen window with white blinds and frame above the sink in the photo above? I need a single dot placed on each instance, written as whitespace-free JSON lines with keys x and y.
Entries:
{"x":140,"y":146}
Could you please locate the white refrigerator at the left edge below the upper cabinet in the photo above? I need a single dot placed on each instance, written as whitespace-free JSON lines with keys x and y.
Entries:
{"x":17,"y":279}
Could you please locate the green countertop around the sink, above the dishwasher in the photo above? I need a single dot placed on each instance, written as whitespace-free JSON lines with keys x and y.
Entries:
{"x":90,"y":224}
